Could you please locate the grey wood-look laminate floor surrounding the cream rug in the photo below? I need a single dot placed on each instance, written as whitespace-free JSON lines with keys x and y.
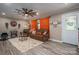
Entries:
{"x":47,"y":48}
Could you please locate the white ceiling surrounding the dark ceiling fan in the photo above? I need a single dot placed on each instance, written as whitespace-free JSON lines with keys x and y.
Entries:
{"x":44,"y":9}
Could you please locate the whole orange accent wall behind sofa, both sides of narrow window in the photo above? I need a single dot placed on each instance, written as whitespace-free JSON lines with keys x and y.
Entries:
{"x":44,"y":24}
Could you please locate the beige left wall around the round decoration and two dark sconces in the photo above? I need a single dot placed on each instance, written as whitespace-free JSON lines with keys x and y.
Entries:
{"x":23,"y":23}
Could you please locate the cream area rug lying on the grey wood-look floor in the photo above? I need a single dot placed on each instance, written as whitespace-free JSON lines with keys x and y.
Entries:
{"x":26,"y":45}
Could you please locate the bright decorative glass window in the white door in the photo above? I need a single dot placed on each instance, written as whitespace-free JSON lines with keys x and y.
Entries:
{"x":70,"y":23}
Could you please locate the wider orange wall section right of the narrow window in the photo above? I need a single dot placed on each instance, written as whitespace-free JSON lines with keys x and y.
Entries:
{"x":44,"y":23}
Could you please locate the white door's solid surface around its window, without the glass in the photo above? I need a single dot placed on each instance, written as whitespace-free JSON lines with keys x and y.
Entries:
{"x":69,"y":36}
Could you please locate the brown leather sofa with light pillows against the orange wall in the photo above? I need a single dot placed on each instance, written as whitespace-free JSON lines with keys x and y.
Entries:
{"x":42,"y":35}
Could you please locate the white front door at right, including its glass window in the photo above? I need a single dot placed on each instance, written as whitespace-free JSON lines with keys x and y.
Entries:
{"x":69,"y":32}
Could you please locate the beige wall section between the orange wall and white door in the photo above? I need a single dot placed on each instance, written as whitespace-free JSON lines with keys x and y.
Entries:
{"x":55,"y":32}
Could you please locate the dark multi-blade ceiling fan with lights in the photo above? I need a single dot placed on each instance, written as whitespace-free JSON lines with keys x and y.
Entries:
{"x":27,"y":12}
